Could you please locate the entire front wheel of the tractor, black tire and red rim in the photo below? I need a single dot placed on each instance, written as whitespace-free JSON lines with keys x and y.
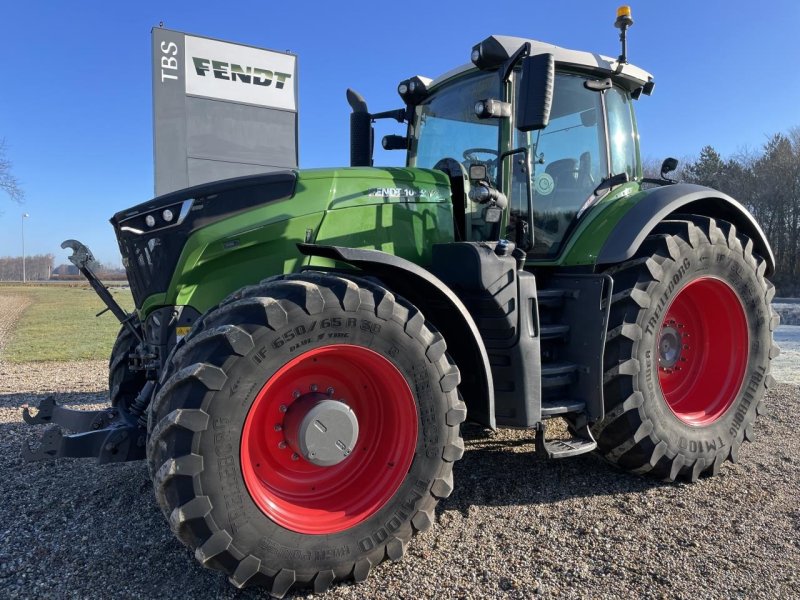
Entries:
{"x":223,"y":448}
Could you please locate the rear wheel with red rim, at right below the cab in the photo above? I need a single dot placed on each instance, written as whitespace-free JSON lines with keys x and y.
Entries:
{"x":688,"y":351}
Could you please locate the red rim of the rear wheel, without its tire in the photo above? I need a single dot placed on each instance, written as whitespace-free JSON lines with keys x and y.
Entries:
{"x":702,"y":351}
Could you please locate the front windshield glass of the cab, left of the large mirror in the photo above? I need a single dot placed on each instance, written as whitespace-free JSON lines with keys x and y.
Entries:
{"x":446,"y":125}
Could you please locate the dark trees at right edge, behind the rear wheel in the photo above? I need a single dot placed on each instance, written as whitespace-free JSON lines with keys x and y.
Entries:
{"x":767,"y":183}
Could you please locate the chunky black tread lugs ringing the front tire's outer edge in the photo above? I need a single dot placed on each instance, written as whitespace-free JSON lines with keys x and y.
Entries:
{"x":228,"y":329}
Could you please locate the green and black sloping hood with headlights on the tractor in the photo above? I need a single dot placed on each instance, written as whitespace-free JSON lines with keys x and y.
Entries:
{"x":179,"y":231}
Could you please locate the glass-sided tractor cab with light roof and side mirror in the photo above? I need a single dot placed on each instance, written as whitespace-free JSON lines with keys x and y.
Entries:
{"x":547,"y":173}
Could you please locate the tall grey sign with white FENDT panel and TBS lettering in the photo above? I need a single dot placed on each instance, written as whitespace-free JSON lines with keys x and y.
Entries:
{"x":220,"y":110}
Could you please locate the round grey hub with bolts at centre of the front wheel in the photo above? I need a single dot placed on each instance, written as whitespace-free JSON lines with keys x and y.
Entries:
{"x":321,"y":430}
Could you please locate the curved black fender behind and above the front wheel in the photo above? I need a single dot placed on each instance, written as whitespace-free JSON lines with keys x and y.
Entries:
{"x":441,"y":307}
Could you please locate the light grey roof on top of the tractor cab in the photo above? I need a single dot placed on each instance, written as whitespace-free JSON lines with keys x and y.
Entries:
{"x":630,"y":76}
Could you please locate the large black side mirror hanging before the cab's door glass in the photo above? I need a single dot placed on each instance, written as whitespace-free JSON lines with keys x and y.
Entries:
{"x":535,"y":92}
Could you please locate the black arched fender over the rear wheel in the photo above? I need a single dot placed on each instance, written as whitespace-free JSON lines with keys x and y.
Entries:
{"x":659,"y":203}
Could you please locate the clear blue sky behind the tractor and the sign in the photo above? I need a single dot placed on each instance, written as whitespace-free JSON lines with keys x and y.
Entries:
{"x":76,"y":103}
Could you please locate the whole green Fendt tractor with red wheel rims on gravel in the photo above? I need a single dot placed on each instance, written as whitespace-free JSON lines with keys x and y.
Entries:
{"x":306,"y":344}
